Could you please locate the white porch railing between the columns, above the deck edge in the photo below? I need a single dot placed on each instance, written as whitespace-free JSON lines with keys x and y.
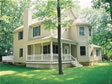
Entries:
{"x":47,"y":57}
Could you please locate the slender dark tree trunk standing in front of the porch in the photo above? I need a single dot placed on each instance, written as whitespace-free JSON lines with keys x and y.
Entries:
{"x":59,"y":37}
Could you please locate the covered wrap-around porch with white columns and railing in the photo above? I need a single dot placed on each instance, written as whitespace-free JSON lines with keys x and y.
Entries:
{"x":48,"y":51}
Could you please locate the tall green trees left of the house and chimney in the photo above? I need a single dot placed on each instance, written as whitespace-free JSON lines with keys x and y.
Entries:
{"x":12,"y":17}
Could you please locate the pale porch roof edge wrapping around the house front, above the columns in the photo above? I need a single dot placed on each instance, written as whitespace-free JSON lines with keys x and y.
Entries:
{"x":50,"y":38}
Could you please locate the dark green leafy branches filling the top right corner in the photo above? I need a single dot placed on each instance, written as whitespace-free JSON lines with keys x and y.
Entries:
{"x":106,"y":4}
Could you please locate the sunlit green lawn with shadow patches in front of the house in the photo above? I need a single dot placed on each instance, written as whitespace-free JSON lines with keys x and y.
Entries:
{"x":98,"y":74}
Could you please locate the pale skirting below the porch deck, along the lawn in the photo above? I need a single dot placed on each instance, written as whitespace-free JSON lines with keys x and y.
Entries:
{"x":48,"y":65}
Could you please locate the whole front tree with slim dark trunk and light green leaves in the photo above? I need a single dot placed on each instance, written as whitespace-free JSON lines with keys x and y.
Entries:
{"x":48,"y":12}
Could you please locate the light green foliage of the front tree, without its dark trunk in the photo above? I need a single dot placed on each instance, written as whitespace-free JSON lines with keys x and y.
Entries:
{"x":46,"y":11}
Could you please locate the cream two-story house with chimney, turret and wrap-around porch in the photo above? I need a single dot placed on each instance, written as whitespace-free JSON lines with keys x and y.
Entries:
{"x":37,"y":47}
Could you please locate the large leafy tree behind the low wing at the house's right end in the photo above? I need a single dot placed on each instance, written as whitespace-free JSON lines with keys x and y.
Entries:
{"x":102,"y":30}
